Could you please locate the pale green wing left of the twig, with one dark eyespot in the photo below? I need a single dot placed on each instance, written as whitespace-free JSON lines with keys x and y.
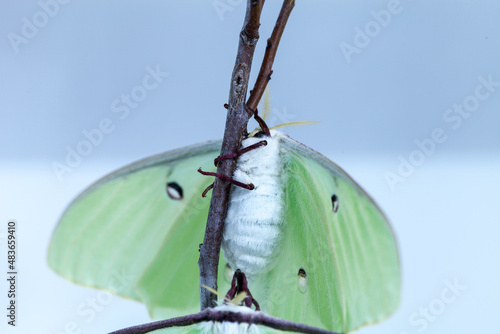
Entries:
{"x":127,"y":235}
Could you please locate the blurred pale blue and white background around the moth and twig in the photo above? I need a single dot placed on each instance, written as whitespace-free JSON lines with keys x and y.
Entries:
{"x":407,"y":92}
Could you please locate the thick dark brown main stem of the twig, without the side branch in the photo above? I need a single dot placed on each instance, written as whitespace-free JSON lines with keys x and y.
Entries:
{"x":236,"y":124}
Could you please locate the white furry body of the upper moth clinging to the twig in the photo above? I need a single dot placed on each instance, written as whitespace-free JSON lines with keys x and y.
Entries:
{"x":253,"y":225}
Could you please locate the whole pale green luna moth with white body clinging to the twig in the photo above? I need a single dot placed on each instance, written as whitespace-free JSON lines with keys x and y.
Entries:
{"x":316,"y":248}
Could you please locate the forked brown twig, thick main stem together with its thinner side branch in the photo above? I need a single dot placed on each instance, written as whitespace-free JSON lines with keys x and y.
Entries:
{"x":237,"y":118}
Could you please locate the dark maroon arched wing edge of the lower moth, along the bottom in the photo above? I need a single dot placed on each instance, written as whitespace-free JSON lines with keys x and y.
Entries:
{"x":257,"y":318}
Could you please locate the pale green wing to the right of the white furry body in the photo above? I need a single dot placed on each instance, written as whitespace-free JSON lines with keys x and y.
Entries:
{"x":349,"y":256}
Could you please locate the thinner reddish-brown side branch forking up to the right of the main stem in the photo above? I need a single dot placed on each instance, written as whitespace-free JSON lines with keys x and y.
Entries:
{"x":271,"y":48}
